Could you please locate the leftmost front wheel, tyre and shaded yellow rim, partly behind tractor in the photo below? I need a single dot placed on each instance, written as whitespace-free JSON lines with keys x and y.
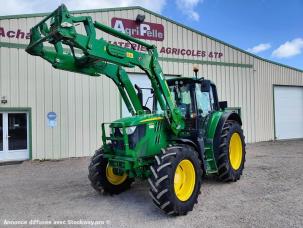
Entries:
{"x":103,"y":177}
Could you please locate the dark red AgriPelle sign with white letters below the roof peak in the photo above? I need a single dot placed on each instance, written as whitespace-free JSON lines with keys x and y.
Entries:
{"x":144,"y":30}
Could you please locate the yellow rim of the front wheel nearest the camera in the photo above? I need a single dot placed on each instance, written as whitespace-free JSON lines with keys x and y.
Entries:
{"x":184,"y":180}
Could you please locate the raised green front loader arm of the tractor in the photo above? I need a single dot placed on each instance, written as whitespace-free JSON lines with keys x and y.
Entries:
{"x":87,"y":54}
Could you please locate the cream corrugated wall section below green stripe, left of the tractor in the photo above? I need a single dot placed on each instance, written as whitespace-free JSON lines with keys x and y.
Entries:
{"x":81,"y":103}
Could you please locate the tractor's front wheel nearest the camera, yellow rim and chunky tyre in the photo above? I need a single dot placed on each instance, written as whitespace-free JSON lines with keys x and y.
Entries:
{"x":176,"y":180}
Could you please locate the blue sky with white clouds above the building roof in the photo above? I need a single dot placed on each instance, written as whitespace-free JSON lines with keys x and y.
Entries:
{"x":271,"y":29}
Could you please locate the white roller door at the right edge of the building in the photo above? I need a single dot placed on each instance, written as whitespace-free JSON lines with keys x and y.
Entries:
{"x":288,"y":112}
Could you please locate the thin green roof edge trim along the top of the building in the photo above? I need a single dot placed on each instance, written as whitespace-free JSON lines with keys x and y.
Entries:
{"x":18,"y":16}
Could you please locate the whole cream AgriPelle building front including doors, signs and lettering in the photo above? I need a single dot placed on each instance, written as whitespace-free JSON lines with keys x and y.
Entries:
{"x":50,"y":114}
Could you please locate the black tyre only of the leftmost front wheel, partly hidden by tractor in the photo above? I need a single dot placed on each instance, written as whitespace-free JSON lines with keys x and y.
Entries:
{"x":98,"y":179}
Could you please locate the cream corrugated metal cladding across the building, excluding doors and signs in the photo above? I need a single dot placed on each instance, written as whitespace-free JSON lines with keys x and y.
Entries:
{"x":83,"y":103}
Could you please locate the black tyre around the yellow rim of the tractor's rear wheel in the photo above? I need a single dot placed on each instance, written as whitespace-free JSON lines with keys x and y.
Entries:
{"x":226,"y":172}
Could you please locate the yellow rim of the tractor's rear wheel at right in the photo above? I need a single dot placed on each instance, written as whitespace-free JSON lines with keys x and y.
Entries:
{"x":235,"y":151}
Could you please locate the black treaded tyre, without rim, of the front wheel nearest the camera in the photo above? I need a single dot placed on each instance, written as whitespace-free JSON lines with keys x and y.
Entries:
{"x":162,"y":179}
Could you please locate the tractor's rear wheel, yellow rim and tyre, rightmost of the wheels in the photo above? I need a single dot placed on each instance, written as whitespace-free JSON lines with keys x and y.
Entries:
{"x":231,"y":152}
